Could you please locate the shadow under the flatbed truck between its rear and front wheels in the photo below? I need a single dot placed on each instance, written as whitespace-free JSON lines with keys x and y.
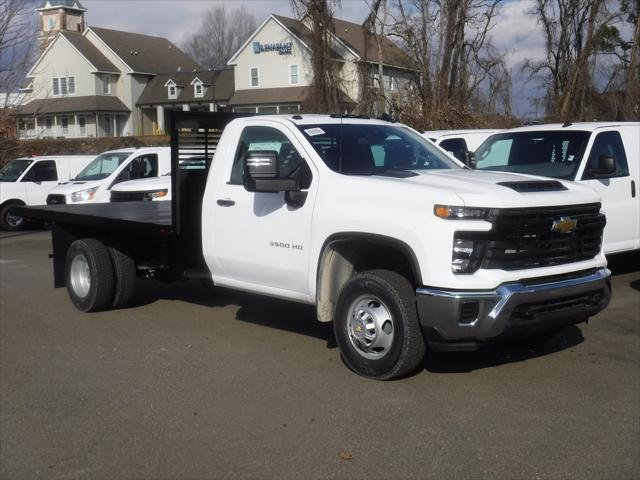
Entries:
{"x":260,"y":310}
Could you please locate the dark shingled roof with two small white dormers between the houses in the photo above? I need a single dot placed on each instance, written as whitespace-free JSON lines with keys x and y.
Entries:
{"x":156,"y":91}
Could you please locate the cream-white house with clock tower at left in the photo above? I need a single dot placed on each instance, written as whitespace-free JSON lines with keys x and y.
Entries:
{"x":88,"y":81}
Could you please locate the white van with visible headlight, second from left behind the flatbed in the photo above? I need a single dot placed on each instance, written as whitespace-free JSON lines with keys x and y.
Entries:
{"x":93,"y":184}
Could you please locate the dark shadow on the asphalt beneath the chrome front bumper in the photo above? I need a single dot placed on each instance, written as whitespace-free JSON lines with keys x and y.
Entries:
{"x":495,"y":355}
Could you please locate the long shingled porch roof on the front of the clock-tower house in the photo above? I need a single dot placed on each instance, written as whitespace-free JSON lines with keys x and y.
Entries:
{"x":99,"y":103}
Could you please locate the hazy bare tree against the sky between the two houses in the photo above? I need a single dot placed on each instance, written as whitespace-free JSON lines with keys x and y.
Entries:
{"x":221,"y":34}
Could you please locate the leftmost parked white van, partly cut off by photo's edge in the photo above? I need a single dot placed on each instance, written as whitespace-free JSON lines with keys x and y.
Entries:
{"x":28,"y":181}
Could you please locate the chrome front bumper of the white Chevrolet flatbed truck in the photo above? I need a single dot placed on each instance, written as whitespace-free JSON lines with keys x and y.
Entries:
{"x":463,"y":320}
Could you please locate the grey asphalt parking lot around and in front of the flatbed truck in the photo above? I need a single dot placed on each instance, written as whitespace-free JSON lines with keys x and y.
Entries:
{"x":195,"y":385}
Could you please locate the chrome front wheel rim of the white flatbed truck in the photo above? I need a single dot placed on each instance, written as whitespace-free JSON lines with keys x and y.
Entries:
{"x":370,"y":327}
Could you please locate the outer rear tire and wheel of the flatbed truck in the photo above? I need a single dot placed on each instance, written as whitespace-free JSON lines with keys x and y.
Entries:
{"x":89,"y":275}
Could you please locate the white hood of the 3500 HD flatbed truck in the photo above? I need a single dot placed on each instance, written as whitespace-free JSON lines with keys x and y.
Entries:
{"x":482,"y":189}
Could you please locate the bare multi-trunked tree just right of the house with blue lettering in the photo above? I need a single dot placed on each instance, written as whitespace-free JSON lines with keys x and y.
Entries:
{"x":460,"y":74}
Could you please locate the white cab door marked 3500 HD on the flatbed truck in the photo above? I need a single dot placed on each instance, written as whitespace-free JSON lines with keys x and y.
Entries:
{"x":259,"y":240}
